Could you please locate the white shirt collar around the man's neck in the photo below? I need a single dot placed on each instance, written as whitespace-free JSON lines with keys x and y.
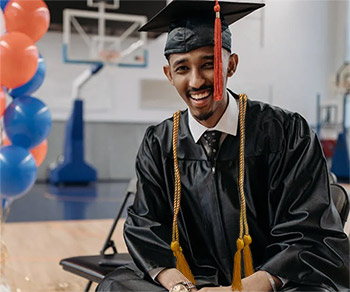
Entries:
{"x":227,"y":123}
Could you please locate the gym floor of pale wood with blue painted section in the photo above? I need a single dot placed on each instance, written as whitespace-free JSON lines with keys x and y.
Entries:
{"x":51,"y":223}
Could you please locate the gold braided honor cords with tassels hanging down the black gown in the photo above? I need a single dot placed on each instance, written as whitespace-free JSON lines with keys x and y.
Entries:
{"x":243,"y":242}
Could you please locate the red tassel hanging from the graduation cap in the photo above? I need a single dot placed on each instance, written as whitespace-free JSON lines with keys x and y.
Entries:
{"x":217,"y":55}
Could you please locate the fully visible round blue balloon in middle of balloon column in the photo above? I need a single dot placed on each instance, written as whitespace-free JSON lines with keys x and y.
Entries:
{"x":27,"y":121}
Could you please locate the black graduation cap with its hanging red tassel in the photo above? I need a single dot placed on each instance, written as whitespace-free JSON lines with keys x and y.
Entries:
{"x":192,"y":24}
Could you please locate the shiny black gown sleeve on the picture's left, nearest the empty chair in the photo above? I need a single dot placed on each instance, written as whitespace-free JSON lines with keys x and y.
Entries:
{"x":147,"y":230}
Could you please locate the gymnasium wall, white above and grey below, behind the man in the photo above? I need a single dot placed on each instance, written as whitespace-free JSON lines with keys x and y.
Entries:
{"x":288,"y":53}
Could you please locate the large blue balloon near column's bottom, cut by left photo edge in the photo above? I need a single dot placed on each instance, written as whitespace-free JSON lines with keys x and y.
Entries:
{"x":17,"y":171}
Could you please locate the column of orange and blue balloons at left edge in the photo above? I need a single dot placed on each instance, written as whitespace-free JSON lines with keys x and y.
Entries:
{"x":26,"y":120}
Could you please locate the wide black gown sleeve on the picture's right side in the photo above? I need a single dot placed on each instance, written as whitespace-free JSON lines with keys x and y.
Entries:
{"x":308,"y":245}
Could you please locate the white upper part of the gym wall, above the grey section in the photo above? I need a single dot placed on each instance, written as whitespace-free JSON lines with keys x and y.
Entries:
{"x":302,"y":48}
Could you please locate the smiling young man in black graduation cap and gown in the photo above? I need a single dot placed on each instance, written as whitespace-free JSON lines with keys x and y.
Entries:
{"x":223,"y":169}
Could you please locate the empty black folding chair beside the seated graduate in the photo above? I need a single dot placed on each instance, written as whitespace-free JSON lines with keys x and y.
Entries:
{"x":95,"y":267}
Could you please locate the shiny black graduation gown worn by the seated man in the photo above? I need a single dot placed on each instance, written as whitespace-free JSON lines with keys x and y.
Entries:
{"x":297,"y":233}
